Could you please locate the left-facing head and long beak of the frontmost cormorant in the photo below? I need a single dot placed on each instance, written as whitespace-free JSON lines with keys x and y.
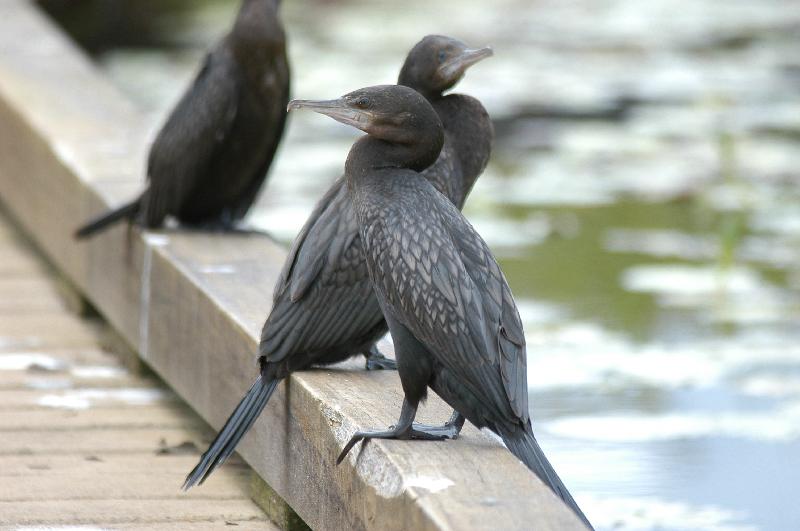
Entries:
{"x":409,"y":128}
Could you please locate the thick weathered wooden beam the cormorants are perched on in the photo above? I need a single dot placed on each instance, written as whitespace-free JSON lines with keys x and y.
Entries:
{"x":192,"y":306}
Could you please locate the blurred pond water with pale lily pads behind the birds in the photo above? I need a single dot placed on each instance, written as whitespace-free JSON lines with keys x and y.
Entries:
{"x":643,"y":200}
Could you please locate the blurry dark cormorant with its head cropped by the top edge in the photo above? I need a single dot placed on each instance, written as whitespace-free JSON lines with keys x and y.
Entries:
{"x":210,"y":158}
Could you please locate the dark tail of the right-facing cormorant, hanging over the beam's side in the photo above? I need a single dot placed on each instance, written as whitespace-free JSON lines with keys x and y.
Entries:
{"x":235,"y":428}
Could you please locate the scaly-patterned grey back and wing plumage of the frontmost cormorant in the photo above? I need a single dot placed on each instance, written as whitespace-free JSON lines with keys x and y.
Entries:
{"x":438,"y":278}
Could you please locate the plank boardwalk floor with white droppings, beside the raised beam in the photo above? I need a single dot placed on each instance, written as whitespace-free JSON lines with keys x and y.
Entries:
{"x":82,"y":440}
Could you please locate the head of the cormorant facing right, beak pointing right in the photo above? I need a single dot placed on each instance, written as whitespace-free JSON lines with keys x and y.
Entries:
{"x":437,"y":62}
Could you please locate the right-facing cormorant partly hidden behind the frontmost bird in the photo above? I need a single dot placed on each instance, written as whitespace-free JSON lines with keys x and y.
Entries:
{"x":324,"y":310}
